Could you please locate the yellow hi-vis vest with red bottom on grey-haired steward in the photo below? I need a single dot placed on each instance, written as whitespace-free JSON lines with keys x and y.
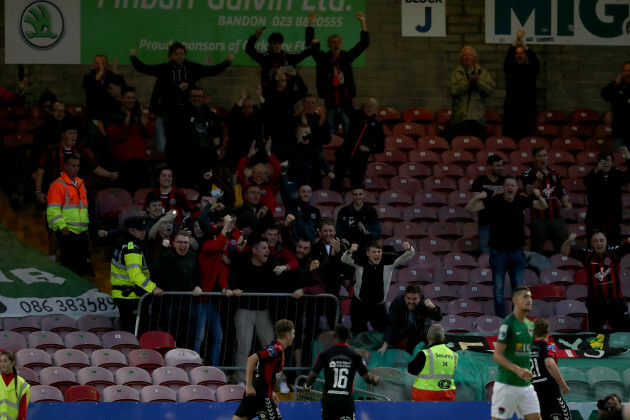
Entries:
{"x":435,"y":381}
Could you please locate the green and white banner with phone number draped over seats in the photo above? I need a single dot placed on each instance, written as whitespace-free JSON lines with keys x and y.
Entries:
{"x":31,"y":284}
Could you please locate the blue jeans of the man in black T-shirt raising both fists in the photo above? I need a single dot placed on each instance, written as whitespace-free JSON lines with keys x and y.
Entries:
{"x":512,"y":262}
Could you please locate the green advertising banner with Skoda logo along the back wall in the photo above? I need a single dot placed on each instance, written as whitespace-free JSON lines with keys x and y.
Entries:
{"x":210,"y":29}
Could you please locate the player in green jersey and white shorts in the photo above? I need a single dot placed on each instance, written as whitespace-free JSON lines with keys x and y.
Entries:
{"x":513,"y":390}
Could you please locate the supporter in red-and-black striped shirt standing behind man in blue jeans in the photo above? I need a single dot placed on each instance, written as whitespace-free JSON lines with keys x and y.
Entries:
{"x":547,"y":223}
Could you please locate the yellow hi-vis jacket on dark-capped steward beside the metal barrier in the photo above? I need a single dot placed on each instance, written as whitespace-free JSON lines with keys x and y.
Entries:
{"x":130,"y":275}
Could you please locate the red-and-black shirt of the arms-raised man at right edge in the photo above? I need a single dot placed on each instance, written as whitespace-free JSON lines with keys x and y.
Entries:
{"x":602,"y":270}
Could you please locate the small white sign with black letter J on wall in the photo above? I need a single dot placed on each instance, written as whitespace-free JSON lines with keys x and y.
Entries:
{"x":423,"y":18}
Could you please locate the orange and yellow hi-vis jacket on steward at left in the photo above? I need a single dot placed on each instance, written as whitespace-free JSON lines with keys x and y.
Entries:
{"x":67,"y":205}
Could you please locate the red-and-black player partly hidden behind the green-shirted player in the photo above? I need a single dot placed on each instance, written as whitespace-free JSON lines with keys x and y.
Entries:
{"x":546,"y":377}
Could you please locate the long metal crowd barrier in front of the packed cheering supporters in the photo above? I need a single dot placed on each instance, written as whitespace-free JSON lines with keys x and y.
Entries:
{"x":223,"y":330}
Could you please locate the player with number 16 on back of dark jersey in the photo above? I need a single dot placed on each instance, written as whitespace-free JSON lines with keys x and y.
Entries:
{"x":340,"y":363}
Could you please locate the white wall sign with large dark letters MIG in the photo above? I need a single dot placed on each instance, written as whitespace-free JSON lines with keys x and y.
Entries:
{"x":574,"y":22}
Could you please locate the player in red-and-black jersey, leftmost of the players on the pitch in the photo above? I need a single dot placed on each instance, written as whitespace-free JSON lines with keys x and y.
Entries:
{"x":260,"y":400}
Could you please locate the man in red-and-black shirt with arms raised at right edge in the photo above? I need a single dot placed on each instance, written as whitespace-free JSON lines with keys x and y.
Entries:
{"x":605,"y":301}
